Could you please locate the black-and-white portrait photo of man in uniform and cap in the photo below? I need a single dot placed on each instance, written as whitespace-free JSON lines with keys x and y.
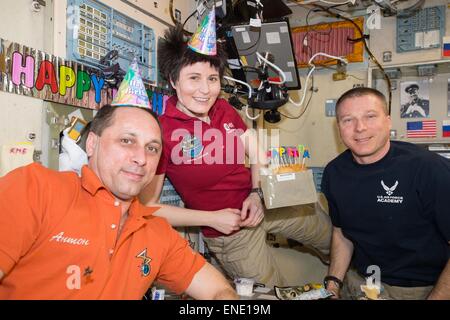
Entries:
{"x":414,"y":98}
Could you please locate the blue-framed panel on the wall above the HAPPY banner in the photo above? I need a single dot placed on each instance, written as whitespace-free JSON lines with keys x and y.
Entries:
{"x":94,"y":29}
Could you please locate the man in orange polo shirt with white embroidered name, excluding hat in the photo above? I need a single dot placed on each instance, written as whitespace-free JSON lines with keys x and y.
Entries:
{"x":89,"y":237}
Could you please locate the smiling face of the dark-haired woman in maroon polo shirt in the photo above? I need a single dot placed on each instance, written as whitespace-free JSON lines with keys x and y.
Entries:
{"x":197,"y":87}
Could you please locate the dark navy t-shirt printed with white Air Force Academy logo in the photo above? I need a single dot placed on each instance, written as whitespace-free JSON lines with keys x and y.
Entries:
{"x":396,"y":212}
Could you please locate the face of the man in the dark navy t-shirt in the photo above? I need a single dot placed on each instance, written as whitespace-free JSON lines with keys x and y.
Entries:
{"x":364,"y":127}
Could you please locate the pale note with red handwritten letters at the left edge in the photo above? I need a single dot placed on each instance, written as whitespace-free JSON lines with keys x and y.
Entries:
{"x":14,"y":156}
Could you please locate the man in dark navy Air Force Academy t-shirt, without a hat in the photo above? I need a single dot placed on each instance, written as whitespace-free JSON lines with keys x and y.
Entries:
{"x":389,"y":206}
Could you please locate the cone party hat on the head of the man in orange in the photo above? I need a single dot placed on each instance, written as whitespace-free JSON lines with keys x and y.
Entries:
{"x":131,"y":90}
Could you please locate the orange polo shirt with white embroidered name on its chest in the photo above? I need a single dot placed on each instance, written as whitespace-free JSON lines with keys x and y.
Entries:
{"x":59,"y":240}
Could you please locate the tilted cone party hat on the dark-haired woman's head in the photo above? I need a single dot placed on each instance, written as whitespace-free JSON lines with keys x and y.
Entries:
{"x":204,"y":39}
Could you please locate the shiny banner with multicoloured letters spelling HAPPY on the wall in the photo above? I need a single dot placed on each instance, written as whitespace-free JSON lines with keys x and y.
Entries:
{"x":30,"y":72}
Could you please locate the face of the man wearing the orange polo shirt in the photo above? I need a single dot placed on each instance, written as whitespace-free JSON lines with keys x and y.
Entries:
{"x":126,"y":154}
